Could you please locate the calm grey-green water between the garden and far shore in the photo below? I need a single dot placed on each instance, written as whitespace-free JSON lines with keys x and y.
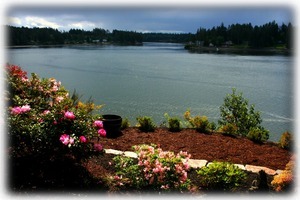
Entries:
{"x":159,"y":78}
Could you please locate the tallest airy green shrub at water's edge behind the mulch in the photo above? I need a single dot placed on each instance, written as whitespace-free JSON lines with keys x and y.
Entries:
{"x":236,"y":111}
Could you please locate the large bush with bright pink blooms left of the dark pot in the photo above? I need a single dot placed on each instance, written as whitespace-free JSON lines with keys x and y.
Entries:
{"x":43,"y":118}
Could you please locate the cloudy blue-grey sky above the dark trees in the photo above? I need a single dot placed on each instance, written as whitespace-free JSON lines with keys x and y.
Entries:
{"x":144,"y":19}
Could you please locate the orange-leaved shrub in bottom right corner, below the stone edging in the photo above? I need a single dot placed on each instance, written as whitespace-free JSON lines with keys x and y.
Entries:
{"x":284,"y":180}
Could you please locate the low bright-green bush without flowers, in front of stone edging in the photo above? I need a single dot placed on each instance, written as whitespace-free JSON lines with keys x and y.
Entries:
{"x":221,"y":176}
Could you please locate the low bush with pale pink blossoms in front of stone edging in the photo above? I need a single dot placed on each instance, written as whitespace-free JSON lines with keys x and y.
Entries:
{"x":155,"y":168}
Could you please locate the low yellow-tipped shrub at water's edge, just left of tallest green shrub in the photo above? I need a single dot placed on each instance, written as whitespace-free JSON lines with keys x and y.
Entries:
{"x":200,"y":123}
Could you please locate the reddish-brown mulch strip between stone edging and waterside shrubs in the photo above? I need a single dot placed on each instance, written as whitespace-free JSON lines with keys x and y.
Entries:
{"x":205,"y":146}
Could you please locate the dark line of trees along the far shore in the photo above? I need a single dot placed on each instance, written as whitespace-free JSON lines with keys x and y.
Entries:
{"x":268,"y":35}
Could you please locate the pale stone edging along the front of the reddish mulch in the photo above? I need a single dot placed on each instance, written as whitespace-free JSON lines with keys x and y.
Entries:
{"x":196,"y":163}
